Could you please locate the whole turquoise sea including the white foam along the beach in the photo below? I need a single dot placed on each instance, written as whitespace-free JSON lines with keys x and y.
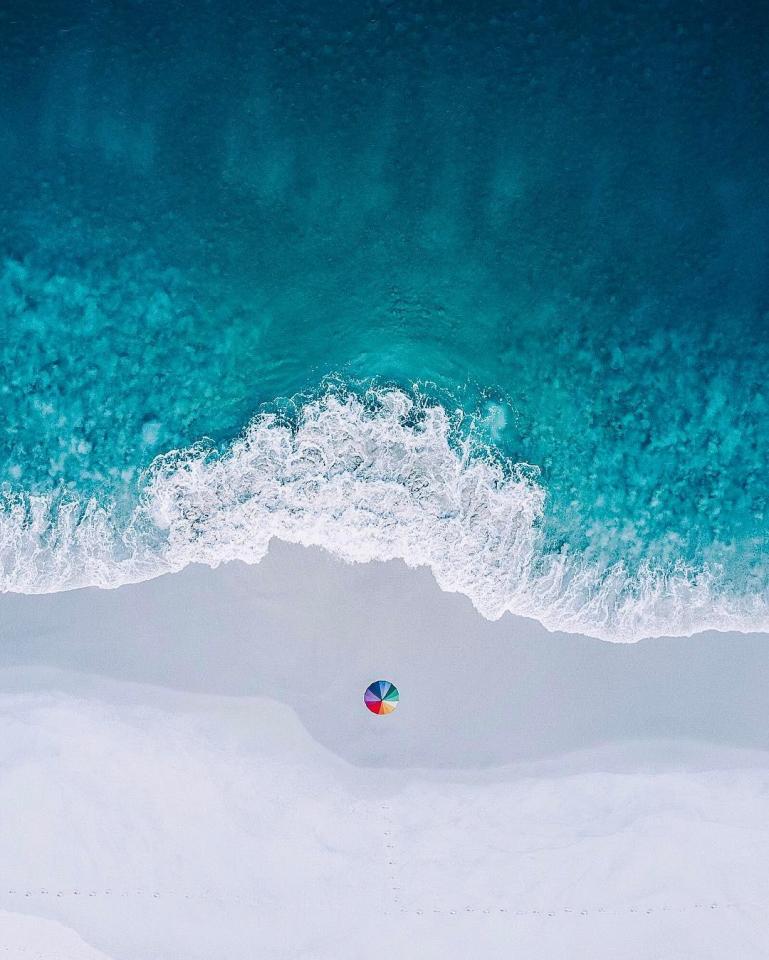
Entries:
{"x":551,"y":223}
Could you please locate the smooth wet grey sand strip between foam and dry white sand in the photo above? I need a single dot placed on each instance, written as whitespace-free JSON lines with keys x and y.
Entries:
{"x":307,"y":629}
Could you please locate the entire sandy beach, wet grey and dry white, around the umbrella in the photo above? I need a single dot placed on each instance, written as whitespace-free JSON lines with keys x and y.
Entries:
{"x":187,"y":772}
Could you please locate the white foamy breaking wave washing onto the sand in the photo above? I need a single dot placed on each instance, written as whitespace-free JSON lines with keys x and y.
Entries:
{"x":377,"y":477}
